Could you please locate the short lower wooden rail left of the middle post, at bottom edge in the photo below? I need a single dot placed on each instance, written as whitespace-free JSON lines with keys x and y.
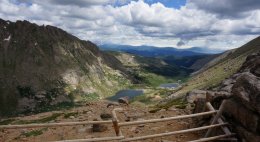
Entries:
{"x":94,"y":139}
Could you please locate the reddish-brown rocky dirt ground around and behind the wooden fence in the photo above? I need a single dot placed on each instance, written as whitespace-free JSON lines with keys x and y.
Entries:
{"x":93,"y":111}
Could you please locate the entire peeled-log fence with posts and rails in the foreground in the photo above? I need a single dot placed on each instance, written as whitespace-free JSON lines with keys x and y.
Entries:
{"x":215,"y":123}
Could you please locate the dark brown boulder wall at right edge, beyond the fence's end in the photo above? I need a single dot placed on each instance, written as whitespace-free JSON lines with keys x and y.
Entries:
{"x":243,"y":108}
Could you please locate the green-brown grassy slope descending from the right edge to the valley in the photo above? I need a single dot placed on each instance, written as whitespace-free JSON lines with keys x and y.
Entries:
{"x":224,"y":68}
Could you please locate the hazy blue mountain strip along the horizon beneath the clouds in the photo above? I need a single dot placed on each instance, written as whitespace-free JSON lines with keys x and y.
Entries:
{"x":152,"y":51}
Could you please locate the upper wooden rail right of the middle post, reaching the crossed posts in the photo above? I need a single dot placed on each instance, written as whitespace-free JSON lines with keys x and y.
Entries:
{"x":167,"y":119}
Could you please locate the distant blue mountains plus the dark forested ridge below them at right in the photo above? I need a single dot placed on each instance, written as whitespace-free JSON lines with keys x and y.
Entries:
{"x":192,"y":58}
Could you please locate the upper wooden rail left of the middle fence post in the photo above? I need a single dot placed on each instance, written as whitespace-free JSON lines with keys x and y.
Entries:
{"x":54,"y":124}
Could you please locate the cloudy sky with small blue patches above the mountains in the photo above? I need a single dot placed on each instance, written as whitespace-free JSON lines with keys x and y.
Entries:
{"x":220,"y":24}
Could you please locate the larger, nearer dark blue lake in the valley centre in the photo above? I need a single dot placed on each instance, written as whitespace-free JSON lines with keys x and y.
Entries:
{"x":131,"y":93}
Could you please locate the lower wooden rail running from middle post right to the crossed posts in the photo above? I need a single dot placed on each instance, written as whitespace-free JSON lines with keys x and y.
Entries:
{"x":172,"y":133}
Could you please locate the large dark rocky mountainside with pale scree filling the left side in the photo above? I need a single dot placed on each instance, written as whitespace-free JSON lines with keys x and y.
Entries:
{"x":44,"y":65}
